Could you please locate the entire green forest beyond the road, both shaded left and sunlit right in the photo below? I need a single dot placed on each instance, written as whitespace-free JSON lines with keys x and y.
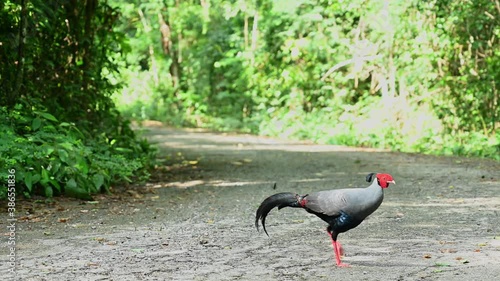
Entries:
{"x":410,"y":76}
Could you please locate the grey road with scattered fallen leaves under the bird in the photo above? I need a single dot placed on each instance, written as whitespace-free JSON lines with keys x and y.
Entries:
{"x":196,"y":222}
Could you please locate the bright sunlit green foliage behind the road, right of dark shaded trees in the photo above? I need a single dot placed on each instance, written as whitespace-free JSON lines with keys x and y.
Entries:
{"x":406,"y":75}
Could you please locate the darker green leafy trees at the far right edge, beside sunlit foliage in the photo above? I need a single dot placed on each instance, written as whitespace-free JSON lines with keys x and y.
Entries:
{"x":471,"y":76}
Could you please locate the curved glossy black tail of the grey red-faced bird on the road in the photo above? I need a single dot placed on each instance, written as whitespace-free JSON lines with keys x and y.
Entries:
{"x":280,"y":200}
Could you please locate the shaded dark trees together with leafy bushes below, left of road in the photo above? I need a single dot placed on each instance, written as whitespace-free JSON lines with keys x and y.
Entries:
{"x":60,"y":129}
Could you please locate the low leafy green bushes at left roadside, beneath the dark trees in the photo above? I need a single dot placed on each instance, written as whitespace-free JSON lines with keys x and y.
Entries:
{"x":51,"y":158}
